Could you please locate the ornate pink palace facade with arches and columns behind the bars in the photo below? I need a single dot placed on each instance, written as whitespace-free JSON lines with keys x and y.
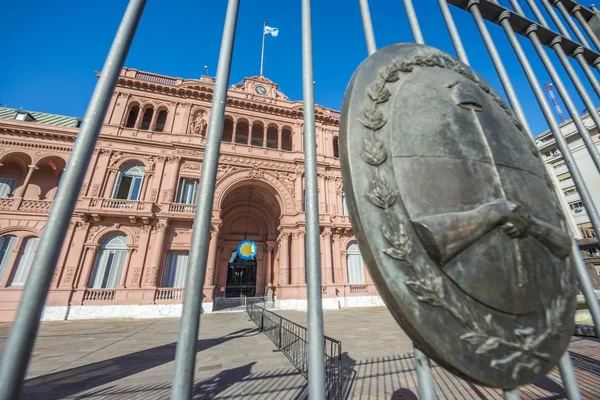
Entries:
{"x":125,"y":253}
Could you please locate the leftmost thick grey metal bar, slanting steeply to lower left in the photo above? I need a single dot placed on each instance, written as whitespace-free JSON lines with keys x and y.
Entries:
{"x":18,"y":347}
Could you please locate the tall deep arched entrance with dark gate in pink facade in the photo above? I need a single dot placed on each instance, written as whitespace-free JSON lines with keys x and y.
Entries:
{"x":249,"y":210}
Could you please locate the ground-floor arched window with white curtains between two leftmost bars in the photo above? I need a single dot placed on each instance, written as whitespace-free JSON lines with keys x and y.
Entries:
{"x":109,"y":262}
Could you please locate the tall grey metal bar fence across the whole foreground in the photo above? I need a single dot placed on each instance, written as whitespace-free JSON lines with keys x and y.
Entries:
{"x":514,"y":22}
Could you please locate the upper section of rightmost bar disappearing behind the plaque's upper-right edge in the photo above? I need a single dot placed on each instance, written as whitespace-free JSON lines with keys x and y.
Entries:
{"x":499,"y":66}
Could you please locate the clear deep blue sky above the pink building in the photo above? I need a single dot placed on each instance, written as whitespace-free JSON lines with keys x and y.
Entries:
{"x":51,"y":49}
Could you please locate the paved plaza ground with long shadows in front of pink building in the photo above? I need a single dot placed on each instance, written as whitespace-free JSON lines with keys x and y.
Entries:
{"x":133,"y":359}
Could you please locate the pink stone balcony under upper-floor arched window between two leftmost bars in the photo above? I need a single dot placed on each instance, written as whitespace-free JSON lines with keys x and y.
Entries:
{"x":114,"y":207}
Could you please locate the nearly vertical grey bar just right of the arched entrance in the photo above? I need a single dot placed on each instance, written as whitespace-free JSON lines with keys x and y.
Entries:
{"x":316,"y":365}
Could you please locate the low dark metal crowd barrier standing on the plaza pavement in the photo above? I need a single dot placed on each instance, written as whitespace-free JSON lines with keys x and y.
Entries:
{"x":291,"y":339}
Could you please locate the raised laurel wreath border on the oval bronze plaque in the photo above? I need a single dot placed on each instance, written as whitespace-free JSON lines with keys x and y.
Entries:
{"x":516,"y":350}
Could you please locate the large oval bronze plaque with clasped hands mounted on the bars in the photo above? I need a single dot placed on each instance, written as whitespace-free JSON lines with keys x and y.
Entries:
{"x":456,"y":217}
